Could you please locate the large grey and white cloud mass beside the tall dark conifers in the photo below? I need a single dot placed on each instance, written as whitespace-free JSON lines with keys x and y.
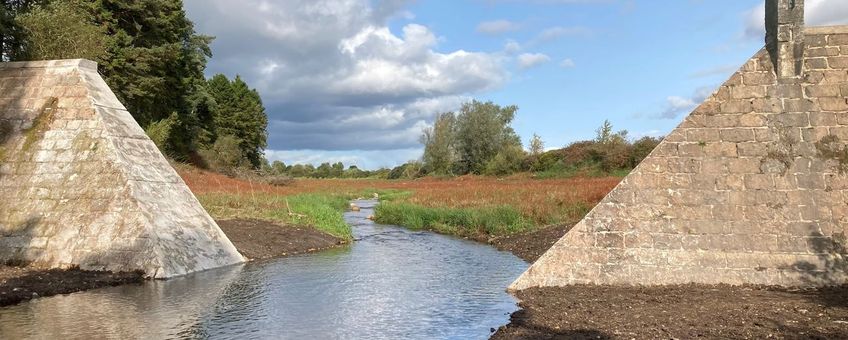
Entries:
{"x":333,"y":76}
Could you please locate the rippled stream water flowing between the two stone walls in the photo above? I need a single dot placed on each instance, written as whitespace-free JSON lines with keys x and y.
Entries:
{"x":391,"y":283}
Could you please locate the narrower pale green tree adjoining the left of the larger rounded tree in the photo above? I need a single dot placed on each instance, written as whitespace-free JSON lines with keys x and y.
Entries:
{"x":439,"y":148}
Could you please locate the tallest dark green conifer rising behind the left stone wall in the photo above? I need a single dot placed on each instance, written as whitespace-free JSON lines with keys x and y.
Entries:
{"x":154,"y":57}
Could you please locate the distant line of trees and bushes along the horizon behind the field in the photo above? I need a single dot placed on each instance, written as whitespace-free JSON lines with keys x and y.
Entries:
{"x":479,"y":139}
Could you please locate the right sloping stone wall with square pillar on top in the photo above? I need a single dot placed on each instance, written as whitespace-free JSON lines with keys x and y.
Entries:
{"x":751,"y":188}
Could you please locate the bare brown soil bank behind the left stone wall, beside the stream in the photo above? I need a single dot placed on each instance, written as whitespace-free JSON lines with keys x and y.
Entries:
{"x":258,"y":239}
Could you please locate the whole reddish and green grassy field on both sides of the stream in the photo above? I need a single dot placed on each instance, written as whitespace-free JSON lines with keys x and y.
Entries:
{"x":464,"y":206}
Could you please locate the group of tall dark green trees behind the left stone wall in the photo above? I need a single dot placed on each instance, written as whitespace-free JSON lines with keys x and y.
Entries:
{"x":153,"y":59}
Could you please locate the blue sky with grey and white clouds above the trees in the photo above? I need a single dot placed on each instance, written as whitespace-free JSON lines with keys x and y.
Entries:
{"x":357,"y":81}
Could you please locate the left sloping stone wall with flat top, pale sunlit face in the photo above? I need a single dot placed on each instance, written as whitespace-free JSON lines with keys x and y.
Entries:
{"x":81,"y":185}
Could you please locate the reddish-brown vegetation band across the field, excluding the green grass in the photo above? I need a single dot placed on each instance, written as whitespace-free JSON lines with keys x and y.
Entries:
{"x":541,"y":200}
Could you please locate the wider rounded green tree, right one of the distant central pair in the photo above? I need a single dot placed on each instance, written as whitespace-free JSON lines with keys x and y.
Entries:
{"x":483,"y":129}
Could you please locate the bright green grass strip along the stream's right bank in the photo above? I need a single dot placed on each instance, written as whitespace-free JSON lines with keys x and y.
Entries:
{"x":493,"y":221}
